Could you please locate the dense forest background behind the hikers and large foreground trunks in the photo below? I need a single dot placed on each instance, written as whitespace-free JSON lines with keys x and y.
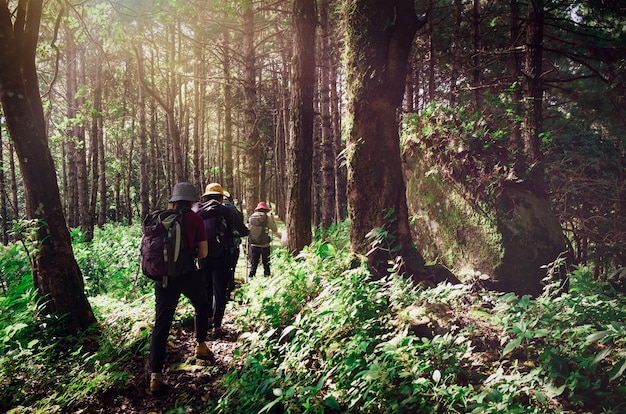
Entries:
{"x":140,"y":94}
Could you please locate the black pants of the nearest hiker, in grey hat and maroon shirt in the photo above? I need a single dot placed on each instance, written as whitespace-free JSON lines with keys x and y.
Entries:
{"x":192,"y":286}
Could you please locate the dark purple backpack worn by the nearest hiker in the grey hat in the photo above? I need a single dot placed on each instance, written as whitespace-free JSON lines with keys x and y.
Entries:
{"x":164,"y":250}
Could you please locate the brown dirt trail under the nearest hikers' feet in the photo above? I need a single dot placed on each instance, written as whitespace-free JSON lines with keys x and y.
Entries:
{"x":189,"y":382}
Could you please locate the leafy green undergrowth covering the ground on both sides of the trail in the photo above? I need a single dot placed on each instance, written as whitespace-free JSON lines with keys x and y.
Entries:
{"x":320,"y":337}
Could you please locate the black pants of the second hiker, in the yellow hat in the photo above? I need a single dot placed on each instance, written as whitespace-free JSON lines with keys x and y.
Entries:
{"x":216,"y":271}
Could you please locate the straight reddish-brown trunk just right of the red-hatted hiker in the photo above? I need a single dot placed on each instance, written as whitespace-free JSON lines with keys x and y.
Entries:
{"x":300,"y":154}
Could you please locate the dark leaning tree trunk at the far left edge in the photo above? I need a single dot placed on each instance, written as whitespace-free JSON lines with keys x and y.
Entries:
{"x":56,"y":273}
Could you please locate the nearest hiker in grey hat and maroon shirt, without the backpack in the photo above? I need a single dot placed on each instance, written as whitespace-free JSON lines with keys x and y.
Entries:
{"x":191,"y":285}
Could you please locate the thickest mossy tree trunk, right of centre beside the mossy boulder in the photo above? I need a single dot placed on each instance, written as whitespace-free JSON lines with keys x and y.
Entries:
{"x":379,"y":40}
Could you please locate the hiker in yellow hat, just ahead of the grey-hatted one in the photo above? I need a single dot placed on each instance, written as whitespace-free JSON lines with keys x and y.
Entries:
{"x":220,"y":222}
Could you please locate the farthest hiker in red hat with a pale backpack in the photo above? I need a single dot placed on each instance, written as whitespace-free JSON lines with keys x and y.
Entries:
{"x":259,"y":239}
